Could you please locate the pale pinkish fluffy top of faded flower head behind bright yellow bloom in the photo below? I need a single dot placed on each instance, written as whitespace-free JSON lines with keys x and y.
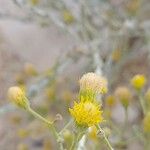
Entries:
{"x":93,"y":83}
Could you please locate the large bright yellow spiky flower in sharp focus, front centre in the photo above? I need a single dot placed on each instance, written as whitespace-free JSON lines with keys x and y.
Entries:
{"x":86,"y":113}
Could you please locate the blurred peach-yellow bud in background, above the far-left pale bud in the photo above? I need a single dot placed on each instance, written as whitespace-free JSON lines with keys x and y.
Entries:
{"x":30,"y":70}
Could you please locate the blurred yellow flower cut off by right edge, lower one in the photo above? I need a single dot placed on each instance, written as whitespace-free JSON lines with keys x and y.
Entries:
{"x":146,"y":123}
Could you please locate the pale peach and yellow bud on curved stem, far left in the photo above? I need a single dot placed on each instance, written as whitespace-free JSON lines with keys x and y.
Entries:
{"x":17,"y":96}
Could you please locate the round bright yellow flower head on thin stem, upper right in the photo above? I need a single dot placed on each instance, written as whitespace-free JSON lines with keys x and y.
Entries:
{"x":138,"y":81}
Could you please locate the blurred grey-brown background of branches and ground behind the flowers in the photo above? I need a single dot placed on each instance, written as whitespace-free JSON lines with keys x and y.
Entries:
{"x":45,"y":48}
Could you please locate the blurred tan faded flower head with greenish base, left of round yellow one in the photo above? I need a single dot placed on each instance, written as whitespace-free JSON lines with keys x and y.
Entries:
{"x":124,"y":95}
